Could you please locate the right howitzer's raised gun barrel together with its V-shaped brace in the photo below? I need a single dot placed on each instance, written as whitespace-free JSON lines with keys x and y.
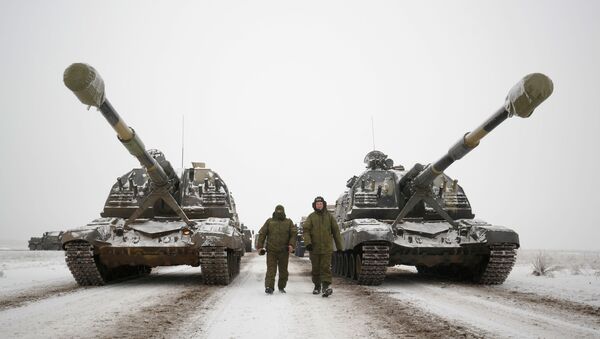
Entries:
{"x":522,"y":99}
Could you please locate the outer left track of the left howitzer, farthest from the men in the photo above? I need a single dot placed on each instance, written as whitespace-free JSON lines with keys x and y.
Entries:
{"x":79,"y":256}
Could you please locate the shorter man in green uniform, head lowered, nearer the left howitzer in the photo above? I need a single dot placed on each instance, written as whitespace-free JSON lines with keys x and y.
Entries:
{"x":280,"y":234}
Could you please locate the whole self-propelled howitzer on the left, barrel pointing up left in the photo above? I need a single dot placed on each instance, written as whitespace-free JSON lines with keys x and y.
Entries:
{"x":152,"y":216}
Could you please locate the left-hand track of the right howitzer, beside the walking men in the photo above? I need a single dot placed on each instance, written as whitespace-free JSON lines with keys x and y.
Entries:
{"x":375,"y":259}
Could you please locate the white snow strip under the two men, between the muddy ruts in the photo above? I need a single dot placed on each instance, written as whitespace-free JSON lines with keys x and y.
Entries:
{"x":243,"y":310}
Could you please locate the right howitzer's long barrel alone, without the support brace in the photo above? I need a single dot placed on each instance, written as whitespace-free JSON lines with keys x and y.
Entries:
{"x":521,"y":100}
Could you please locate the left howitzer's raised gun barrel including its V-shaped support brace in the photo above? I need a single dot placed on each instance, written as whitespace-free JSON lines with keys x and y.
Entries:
{"x":87,"y":85}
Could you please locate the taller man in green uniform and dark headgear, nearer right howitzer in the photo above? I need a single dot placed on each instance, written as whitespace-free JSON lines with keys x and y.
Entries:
{"x":320,"y":230}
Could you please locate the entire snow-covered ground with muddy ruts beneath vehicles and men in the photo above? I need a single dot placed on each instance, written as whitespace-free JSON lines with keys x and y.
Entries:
{"x":38,"y":297}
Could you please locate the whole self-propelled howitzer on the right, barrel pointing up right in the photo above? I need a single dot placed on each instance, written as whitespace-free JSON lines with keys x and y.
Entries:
{"x":422,"y":217}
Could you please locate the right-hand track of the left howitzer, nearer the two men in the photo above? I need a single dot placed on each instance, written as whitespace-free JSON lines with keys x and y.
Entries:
{"x":218,"y":265}
